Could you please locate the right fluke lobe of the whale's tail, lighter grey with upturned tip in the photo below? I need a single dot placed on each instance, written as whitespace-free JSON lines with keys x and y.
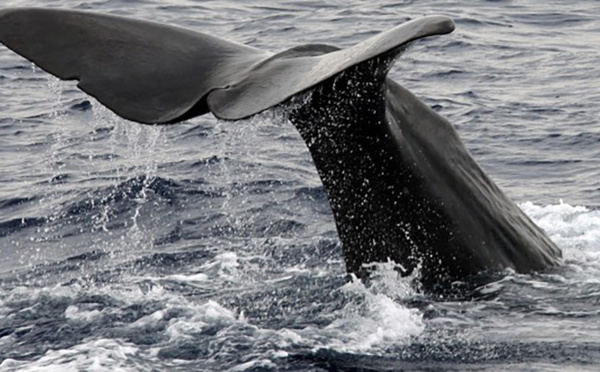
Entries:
{"x":286,"y":74}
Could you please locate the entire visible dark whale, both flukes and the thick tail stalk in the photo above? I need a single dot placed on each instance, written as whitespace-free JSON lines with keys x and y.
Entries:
{"x":401,"y":185}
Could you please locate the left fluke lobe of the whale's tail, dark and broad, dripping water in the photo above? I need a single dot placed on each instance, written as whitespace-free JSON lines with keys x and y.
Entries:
{"x":143,"y":71}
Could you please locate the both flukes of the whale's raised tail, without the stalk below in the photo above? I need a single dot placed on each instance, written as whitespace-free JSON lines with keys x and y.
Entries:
{"x":157,"y":74}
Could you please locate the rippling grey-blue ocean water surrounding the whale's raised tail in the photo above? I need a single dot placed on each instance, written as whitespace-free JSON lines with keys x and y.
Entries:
{"x":210,"y":245}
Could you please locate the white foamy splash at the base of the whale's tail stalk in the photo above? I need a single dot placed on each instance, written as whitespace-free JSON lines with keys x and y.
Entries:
{"x":371,"y":321}
